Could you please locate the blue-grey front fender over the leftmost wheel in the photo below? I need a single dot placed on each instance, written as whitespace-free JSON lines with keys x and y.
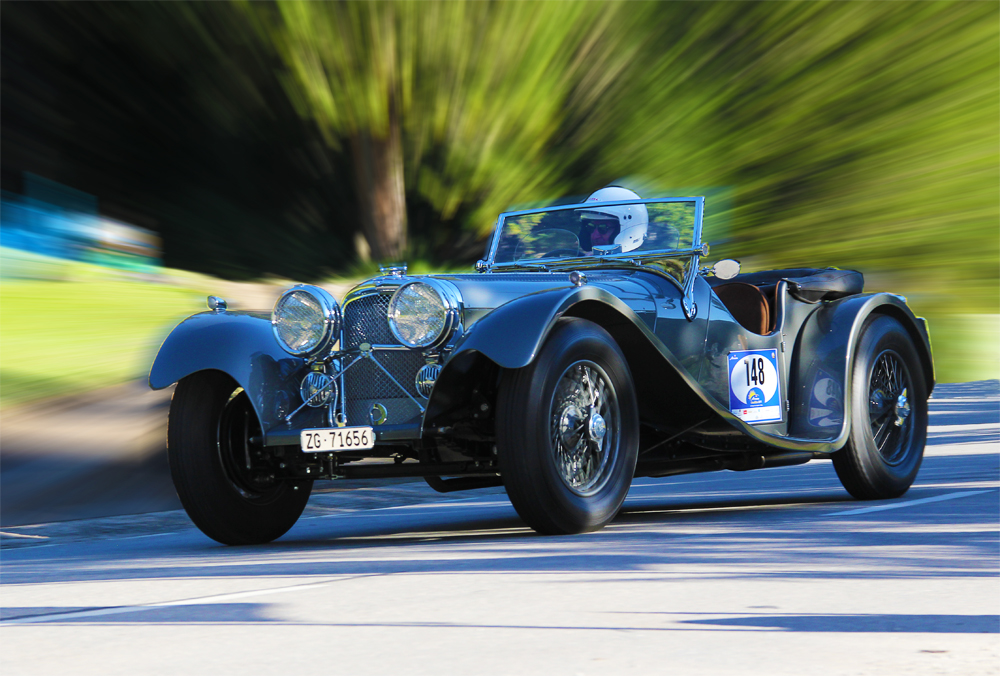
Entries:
{"x":239,"y":344}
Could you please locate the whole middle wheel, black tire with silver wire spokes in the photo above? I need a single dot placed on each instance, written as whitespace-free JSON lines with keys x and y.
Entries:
{"x":560,"y":481}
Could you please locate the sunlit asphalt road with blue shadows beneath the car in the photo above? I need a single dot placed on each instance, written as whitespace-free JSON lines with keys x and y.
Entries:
{"x":770,"y":572}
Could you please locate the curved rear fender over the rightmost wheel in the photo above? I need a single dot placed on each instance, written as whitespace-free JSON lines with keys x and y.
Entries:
{"x":820,"y":378}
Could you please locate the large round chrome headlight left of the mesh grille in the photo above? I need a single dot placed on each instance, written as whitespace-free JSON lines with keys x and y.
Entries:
{"x":306,"y":320}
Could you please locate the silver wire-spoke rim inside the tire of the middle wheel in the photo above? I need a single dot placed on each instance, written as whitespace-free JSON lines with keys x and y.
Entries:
{"x":584,"y":428}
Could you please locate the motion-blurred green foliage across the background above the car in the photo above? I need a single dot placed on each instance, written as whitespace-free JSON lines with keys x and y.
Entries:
{"x":854,"y":134}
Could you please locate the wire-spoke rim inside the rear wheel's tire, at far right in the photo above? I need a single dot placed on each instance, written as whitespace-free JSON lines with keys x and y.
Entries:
{"x":889,"y":407}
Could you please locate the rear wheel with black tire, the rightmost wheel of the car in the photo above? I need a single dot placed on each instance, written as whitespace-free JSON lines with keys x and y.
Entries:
{"x":888,"y":414}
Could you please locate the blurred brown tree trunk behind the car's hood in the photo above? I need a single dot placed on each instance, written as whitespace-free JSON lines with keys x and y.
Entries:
{"x":378,"y":172}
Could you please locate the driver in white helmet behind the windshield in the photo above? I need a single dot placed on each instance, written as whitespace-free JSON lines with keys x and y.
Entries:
{"x":625,"y":225}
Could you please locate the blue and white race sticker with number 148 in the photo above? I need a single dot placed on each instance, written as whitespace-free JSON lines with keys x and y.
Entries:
{"x":754,"y":386}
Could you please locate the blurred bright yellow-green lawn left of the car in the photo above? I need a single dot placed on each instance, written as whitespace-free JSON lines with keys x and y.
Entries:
{"x":65,"y":337}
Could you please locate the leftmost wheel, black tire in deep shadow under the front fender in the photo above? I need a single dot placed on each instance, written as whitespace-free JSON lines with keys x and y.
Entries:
{"x":211,"y":421}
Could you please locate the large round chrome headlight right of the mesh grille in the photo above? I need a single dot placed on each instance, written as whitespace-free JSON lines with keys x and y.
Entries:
{"x":425,"y":313}
